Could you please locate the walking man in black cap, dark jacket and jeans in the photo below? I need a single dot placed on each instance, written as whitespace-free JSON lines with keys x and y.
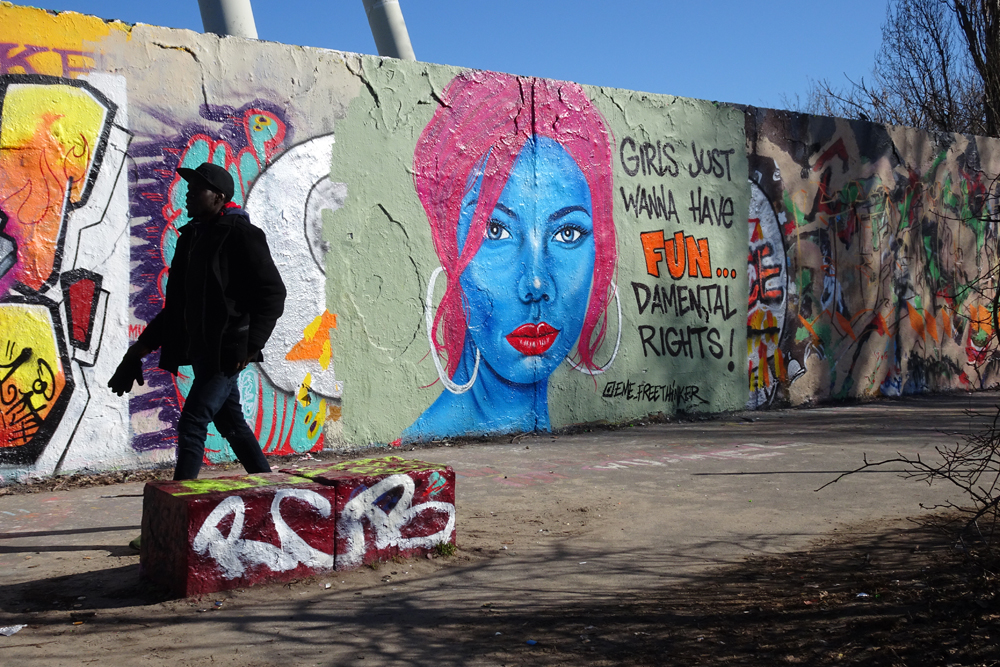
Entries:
{"x":223,"y":297}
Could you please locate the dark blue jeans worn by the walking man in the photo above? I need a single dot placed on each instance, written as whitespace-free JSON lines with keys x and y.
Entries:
{"x":214,"y":398}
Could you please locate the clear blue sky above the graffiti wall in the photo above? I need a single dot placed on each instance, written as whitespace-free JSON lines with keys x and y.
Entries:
{"x":724,"y":50}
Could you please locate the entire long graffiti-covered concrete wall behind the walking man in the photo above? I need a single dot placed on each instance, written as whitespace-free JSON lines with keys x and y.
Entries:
{"x":427,"y":219}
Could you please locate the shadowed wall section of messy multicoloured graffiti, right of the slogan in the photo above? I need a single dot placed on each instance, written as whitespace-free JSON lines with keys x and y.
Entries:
{"x":871,"y":257}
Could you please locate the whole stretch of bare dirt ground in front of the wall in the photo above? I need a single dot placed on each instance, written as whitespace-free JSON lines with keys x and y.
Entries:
{"x":876,"y":591}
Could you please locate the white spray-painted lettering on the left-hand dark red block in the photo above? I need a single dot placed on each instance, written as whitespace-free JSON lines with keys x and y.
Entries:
{"x":234,"y":555}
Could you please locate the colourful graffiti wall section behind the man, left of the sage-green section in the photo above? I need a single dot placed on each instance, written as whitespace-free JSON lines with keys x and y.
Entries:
{"x":96,"y":118}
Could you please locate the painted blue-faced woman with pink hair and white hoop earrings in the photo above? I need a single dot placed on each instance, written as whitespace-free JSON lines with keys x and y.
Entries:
{"x":514,"y":175}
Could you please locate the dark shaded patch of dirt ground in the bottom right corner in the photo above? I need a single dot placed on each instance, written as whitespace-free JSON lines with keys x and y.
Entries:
{"x":902,"y":596}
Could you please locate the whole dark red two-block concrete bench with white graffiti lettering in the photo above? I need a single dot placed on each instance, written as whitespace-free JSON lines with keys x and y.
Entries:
{"x":206,"y":535}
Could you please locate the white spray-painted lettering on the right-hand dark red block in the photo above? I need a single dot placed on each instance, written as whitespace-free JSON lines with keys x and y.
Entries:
{"x":387,"y":527}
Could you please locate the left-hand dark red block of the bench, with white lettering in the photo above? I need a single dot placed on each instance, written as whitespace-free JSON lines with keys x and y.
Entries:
{"x":201,"y":536}
